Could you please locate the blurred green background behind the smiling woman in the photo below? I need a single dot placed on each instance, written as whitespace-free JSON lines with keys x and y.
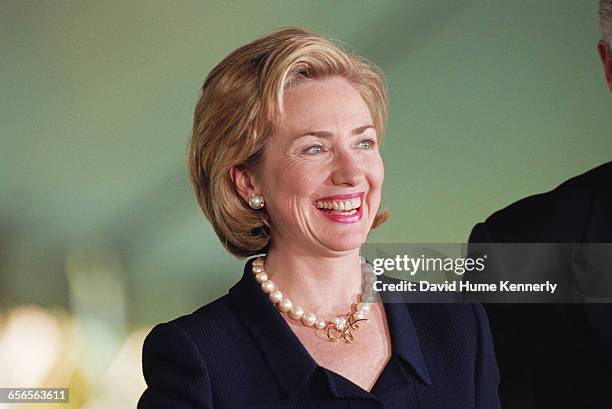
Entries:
{"x":100,"y":234}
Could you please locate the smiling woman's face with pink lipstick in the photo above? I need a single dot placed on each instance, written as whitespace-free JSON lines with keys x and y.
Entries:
{"x":322,"y":171}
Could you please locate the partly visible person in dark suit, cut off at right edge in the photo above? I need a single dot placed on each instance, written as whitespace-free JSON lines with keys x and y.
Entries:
{"x":558,"y":355}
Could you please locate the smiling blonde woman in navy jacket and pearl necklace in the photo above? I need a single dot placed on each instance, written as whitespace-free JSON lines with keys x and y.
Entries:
{"x":285,"y":164}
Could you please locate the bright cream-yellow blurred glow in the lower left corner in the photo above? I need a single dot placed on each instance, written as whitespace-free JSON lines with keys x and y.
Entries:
{"x":42,"y":348}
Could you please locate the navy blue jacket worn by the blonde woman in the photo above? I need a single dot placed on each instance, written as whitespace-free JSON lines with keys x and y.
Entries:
{"x":239,"y":352}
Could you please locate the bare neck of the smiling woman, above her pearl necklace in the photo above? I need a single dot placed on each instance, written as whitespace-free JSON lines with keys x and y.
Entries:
{"x":325,"y":285}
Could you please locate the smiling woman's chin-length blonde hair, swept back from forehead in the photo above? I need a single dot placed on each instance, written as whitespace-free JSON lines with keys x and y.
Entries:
{"x":238,"y":110}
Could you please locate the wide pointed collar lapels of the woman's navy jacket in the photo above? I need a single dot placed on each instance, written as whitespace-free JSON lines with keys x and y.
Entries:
{"x":288,"y":359}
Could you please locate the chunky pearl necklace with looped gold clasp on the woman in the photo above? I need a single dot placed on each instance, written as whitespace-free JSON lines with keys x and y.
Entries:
{"x":338,"y":328}
